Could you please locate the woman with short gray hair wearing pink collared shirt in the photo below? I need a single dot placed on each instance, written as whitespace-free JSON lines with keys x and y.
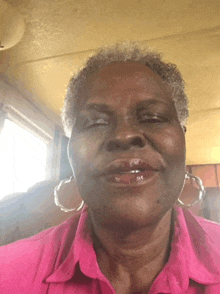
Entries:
{"x":125,"y":114}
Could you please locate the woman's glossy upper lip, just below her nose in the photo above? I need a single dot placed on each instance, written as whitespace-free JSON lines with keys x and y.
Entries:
{"x":127,"y":165}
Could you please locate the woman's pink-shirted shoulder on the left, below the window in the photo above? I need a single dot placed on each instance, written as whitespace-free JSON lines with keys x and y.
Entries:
{"x":25,"y":258}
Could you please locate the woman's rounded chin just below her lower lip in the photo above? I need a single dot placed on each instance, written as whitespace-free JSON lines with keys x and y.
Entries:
{"x":128,"y":213}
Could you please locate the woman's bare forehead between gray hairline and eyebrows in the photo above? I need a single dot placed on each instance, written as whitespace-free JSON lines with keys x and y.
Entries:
{"x":120,"y":81}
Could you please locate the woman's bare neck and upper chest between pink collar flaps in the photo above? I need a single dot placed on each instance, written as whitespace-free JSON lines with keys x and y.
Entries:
{"x":132,"y":259}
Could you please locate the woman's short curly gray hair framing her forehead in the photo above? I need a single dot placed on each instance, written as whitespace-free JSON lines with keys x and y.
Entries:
{"x":123,"y":52}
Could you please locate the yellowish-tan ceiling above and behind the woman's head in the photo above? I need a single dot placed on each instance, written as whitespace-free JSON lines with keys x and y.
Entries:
{"x":60,"y":35}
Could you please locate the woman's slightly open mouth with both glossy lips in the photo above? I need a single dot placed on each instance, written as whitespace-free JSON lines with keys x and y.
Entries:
{"x":132,"y":172}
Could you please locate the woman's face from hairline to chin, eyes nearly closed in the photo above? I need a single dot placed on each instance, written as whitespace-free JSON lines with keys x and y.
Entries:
{"x":127,"y":147}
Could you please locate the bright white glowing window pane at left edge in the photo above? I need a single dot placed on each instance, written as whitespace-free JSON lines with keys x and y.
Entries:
{"x":23,"y":159}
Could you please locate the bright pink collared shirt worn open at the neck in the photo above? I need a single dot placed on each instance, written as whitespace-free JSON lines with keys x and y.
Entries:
{"x":62,"y":260}
